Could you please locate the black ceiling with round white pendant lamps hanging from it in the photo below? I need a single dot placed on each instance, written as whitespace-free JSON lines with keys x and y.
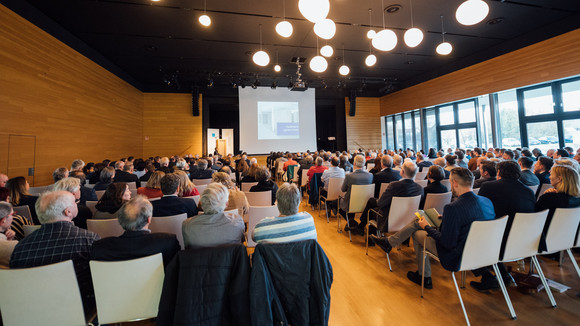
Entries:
{"x":152,"y":43}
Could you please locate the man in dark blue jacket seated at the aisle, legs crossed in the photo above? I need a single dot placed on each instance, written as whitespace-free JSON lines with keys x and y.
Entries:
{"x":449,"y":241}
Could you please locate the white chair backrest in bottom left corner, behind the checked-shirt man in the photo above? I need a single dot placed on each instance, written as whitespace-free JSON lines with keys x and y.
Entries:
{"x":55,"y":302}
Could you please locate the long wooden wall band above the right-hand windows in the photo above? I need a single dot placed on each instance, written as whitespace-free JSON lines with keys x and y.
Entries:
{"x":551,"y":59}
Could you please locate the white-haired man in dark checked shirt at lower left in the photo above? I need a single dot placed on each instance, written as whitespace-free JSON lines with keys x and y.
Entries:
{"x":58,"y":240}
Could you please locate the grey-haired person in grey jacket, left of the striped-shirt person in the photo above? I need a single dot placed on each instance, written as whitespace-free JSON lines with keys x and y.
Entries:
{"x":214,"y":227}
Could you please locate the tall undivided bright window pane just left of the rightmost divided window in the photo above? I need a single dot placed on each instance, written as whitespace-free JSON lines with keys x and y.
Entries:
{"x":508,"y":118}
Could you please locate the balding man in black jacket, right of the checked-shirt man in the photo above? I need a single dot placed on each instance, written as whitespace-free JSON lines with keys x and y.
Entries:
{"x":137,"y":241}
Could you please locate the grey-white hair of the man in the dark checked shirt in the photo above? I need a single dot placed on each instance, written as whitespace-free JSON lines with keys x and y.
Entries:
{"x":50,"y":205}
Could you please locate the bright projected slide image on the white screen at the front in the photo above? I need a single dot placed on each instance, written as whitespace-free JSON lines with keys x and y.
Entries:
{"x":278,"y":120}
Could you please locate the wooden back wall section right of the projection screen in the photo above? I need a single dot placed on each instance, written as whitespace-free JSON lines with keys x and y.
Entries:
{"x":364,"y":129}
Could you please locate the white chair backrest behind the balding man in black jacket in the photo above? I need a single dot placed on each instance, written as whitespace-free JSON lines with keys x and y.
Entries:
{"x":127,"y":290}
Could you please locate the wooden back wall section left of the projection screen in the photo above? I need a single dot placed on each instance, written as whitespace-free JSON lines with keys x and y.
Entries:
{"x":169,"y":125}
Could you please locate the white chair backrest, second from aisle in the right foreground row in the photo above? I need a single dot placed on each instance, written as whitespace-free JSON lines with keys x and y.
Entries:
{"x":524,"y":237}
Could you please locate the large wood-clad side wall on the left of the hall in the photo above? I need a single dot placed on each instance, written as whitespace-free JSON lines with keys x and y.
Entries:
{"x":74,"y":107}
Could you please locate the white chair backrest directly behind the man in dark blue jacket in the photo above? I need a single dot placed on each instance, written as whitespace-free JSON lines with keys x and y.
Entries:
{"x":483,"y":244}
